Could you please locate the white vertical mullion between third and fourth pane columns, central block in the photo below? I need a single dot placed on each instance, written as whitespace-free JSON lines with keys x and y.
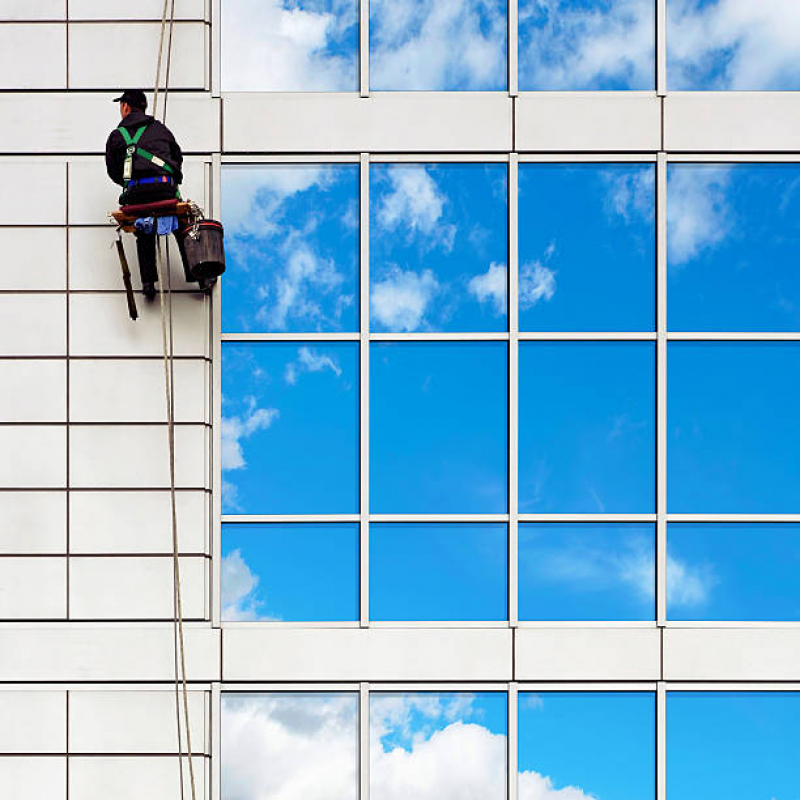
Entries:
{"x":661,"y":388}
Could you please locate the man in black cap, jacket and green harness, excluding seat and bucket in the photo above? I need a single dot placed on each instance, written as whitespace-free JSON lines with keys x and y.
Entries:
{"x":143,"y":157}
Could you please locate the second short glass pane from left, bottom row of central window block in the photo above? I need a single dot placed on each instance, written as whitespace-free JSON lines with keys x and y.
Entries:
{"x":438,"y":571}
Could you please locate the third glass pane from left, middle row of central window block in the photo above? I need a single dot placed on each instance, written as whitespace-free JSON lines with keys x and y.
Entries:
{"x":586,"y":427}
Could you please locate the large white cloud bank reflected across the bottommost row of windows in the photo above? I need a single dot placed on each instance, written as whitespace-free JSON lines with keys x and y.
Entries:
{"x":278,"y":747}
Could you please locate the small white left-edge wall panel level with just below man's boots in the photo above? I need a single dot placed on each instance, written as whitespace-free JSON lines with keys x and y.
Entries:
{"x":33,"y":325}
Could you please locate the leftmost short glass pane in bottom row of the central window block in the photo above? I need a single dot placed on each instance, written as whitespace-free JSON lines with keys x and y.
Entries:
{"x":297,"y":572}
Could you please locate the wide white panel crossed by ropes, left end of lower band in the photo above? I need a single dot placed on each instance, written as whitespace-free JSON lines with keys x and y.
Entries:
{"x":82,"y":652}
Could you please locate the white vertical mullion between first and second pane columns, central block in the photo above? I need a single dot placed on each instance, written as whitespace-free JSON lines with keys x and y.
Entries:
{"x":364,"y":334}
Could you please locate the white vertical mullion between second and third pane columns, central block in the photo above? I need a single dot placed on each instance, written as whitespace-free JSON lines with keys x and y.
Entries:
{"x":513,"y":386}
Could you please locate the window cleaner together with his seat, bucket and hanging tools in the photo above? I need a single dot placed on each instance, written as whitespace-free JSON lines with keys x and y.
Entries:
{"x":143,"y":156}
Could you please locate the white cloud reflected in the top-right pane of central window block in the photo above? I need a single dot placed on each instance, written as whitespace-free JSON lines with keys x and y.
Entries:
{"x":698,"y":216}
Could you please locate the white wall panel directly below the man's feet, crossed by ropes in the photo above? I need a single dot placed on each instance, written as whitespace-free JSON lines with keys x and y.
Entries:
{"x":100,"y":326}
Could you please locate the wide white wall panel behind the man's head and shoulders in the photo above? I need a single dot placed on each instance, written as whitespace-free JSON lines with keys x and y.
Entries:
{"x":81,"y":122}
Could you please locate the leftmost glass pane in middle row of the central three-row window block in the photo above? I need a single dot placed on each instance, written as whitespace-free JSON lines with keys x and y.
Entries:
{"x":290,"y":428}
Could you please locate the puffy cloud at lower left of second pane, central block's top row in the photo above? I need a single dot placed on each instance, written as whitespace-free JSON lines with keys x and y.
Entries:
{"x":400,"y":300}
